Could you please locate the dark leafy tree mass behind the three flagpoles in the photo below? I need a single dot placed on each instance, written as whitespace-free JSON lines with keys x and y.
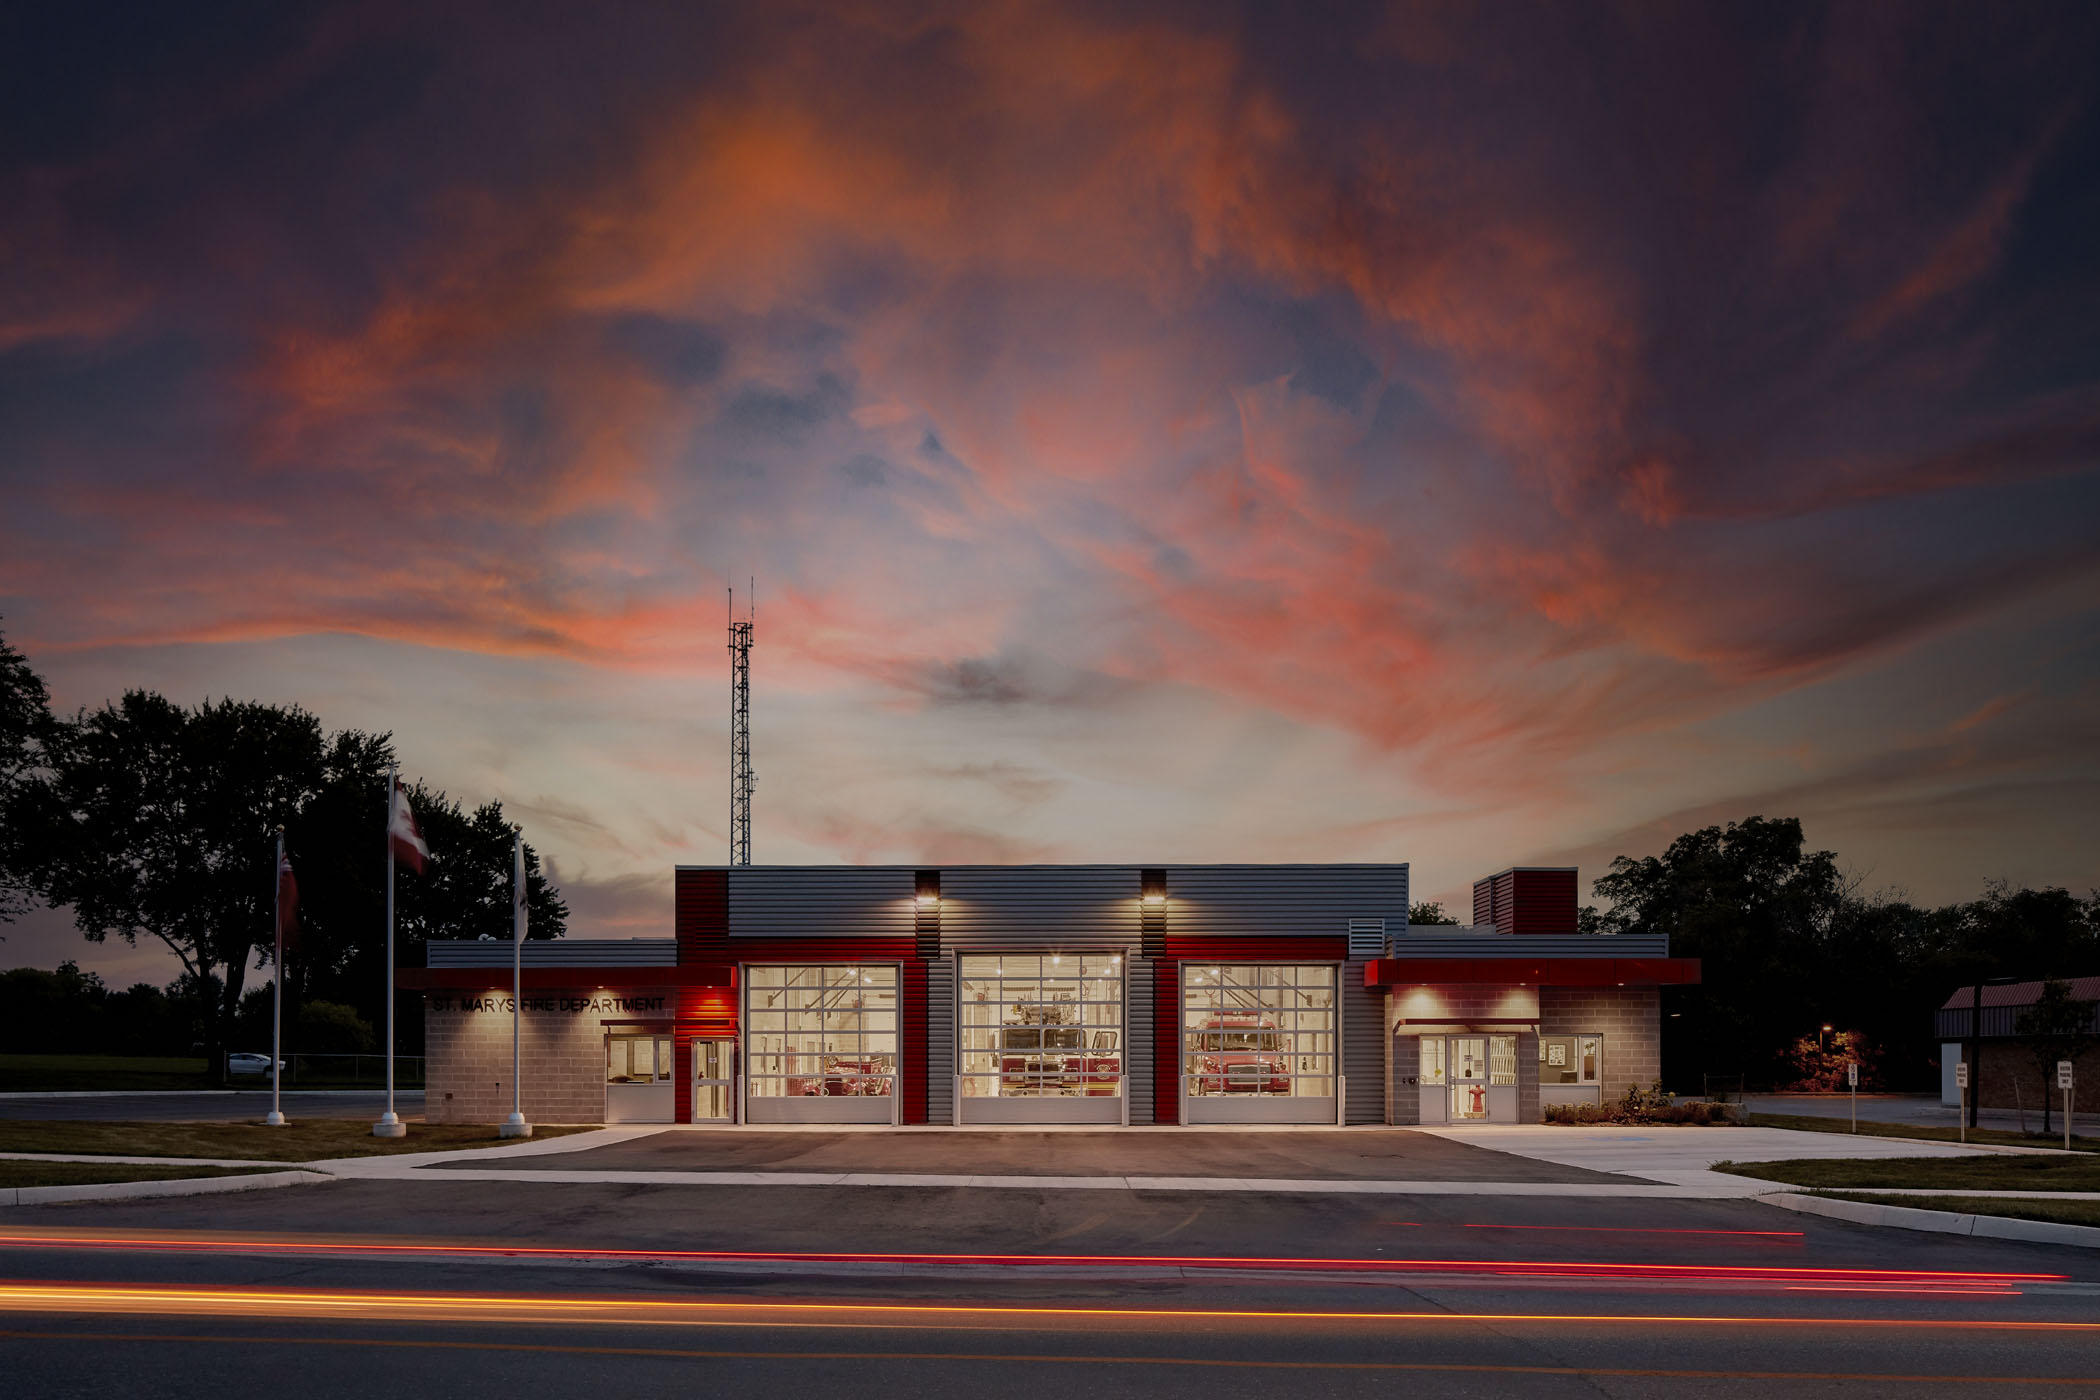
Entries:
{"x":167,"y":830}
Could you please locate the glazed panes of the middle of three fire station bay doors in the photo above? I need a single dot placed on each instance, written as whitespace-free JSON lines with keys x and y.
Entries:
{"x":1041,"y":1025}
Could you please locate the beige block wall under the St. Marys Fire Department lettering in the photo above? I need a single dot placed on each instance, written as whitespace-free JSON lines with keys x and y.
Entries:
{"x":469,"y":1061}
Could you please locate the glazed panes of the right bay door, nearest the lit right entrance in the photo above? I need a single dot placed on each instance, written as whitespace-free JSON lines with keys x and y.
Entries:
{"x":1261,"y":1032}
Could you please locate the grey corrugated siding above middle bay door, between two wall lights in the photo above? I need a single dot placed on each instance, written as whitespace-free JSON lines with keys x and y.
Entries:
{"x":1041,"y":908}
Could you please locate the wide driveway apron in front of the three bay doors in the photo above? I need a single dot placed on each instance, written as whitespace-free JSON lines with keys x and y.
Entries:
{"x":1473,"y":1162}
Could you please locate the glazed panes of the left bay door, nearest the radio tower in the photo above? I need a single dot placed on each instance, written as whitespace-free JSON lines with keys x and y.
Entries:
{"x":820,"y":1030}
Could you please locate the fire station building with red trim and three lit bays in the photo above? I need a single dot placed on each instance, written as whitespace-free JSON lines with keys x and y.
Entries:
{"x":1055,"y":994}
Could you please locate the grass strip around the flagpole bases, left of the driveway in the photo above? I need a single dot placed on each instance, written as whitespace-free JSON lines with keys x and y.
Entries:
{"x":297,"y":1143}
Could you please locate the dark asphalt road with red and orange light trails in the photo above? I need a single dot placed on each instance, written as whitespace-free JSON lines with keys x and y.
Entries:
{"x":446,"y":1290}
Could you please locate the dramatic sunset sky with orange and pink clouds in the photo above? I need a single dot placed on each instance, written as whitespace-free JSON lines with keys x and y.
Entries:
{"x":1461,"y":436}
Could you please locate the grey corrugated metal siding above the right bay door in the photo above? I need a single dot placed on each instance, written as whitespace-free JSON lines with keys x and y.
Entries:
{"x":1206,"y":901}
